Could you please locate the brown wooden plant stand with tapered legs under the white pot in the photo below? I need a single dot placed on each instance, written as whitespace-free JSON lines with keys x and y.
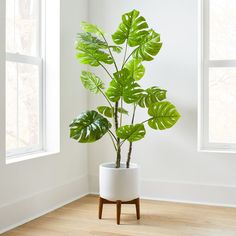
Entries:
{"x":118,"y":207}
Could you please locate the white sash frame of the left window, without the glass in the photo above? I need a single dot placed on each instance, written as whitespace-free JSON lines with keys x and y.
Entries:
{"x":40,"y":61}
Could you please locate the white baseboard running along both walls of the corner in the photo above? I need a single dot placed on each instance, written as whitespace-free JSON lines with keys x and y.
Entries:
{"x":27,"y":209}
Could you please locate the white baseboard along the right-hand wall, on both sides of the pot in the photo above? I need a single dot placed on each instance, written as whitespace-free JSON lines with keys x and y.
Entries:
{"x":184,"y":192}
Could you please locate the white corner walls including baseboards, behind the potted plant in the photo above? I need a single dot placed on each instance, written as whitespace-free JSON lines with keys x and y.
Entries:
{"x":172,"y":169}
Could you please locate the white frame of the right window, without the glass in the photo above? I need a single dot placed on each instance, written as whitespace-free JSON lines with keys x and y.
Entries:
{"x":205,"y":63}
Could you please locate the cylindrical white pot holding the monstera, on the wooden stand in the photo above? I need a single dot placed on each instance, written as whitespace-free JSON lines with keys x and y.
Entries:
{"x":119,"y":183}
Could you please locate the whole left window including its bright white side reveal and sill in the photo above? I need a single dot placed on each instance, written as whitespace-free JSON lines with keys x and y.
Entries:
{"x":30,"y":64}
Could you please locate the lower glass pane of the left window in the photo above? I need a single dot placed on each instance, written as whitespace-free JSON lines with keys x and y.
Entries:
{"x":22,"y":105}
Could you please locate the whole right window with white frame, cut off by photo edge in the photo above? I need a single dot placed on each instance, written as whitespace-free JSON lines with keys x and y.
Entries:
{"x":217,"y":120}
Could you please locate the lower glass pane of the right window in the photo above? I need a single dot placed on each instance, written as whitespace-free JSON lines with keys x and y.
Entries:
{"x":222,"y":105}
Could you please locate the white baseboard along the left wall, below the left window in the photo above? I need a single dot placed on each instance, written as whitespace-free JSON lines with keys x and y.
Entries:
{"x":31,"y":207}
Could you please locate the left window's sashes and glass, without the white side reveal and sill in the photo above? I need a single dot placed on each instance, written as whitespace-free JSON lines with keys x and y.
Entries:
{"x":24,"y":77}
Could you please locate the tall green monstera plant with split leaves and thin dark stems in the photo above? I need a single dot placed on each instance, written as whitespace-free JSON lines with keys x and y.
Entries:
{"x":140,"y":44}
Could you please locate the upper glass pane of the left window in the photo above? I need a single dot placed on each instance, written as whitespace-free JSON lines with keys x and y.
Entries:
{"x":22,"y":27}
